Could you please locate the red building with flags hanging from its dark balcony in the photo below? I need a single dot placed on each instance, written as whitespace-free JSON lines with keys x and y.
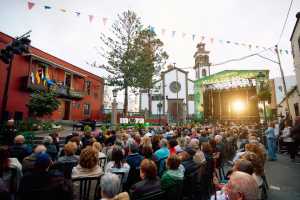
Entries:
{"x":80,"y":92}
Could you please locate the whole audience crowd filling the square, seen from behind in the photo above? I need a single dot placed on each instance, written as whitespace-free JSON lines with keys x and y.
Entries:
{"x":188,"y":162}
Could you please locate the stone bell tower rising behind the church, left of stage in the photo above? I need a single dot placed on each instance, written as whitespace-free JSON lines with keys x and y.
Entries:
{"x":202,"y":65}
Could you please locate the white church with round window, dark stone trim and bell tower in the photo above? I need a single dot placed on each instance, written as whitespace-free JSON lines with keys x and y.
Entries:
{"x":173,"y":94}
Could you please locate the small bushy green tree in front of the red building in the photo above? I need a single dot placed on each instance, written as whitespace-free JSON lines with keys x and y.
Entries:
{"x":43,"y":103}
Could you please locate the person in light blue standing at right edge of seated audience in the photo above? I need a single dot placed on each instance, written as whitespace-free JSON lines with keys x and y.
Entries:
{"x":271,"y":142}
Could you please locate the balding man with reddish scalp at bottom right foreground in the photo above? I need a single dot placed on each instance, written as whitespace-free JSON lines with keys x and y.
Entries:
{"x":241,"y":186}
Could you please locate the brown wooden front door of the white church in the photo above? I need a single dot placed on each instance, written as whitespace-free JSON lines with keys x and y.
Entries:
{"x":175,"y":110}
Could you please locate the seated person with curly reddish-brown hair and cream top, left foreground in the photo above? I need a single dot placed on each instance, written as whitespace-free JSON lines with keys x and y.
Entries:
{"x":88,"y":164}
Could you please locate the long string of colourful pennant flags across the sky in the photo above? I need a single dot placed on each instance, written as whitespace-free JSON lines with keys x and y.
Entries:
{"x":163,"y":31}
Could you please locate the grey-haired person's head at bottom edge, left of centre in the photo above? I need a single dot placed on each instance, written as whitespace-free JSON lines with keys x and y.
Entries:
{"x":110,"y":187}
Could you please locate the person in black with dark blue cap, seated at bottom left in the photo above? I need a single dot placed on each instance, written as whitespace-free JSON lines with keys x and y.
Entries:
{"x":41,"y":184}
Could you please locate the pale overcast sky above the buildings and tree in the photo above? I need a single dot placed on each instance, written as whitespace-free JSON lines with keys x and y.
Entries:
{"x":257,"y":22}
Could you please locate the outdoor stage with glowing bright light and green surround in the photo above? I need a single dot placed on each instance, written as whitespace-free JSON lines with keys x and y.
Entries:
{"x":230,"y":95}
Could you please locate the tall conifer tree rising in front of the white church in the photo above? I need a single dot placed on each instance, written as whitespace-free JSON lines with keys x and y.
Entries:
{"x":131,"y":53}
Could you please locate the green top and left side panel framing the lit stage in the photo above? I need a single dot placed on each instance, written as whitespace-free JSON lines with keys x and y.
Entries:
{"x":226,"y":79}
